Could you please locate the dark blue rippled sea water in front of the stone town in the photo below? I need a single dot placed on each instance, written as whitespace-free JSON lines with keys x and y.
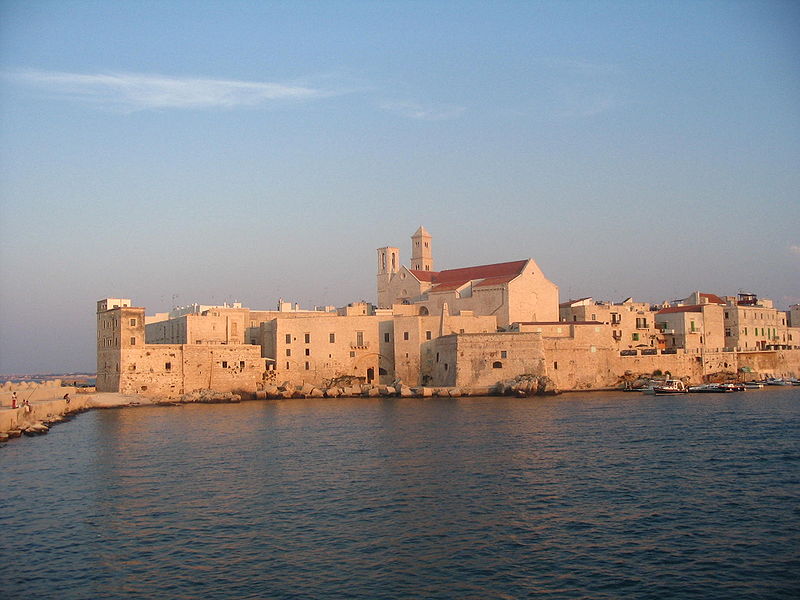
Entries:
{"x":581,"y":496}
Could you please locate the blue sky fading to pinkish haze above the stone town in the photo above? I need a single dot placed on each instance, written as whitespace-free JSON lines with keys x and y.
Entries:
{"x":178,"y":152}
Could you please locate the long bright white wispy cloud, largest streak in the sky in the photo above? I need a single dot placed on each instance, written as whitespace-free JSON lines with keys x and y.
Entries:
{"x":134,"y":92}
